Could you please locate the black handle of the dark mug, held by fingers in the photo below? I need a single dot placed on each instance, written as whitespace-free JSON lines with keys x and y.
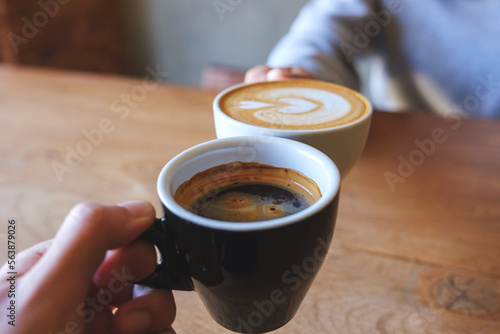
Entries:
{"x":172,"y":271}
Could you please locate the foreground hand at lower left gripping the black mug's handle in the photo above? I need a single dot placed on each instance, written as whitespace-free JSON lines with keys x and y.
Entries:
{"x":72,"y":283}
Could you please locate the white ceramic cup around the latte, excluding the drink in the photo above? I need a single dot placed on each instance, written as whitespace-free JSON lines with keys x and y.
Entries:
{"x":343,"y":144}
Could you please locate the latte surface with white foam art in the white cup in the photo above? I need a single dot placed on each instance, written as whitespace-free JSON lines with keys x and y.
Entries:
{"x":294,"y":104}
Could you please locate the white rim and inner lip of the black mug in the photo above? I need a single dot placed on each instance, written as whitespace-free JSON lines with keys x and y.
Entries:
{"x":165,"y":186}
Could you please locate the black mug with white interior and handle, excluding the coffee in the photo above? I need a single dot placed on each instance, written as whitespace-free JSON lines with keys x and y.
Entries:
{"x":252,"y":276}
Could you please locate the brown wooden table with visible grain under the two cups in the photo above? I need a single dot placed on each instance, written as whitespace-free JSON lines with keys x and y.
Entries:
{"x":417,"y":242}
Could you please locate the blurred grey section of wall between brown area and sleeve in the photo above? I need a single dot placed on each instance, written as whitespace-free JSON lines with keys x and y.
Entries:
{"x":183,"y":37}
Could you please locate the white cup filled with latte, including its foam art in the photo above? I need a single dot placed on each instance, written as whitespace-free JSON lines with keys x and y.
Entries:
{"x":293,"y":102}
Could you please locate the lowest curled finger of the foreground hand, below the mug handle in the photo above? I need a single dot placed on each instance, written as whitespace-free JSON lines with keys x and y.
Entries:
{"x":152,"y":311}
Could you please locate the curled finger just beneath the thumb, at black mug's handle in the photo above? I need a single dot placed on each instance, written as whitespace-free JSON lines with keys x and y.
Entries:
{"x":124,"y":266}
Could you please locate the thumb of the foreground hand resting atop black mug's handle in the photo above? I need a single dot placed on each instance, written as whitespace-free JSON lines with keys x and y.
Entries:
{"x":80,"y":246}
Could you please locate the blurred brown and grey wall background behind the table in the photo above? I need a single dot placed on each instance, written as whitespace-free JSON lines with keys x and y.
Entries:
{"x":180,"y":37}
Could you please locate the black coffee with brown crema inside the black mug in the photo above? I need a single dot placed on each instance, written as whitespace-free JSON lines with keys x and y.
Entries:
{"x":247,"y":192}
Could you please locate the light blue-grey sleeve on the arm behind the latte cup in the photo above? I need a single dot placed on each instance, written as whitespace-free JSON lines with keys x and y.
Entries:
{"x":325,"y":39}
